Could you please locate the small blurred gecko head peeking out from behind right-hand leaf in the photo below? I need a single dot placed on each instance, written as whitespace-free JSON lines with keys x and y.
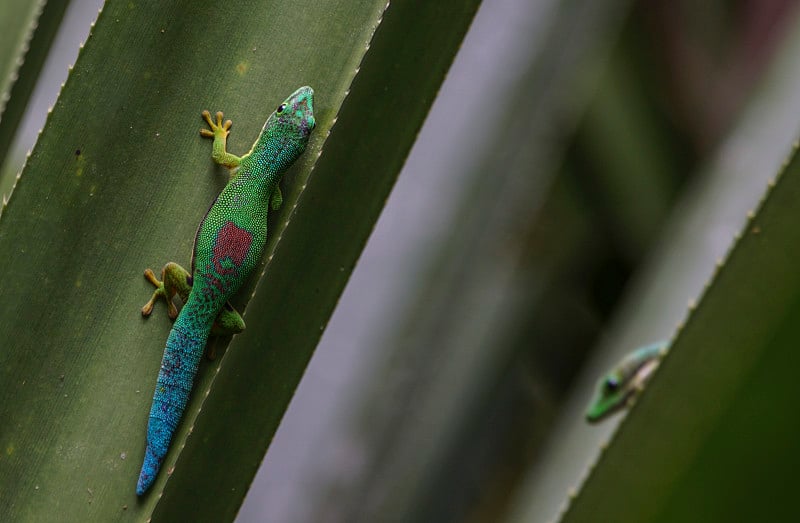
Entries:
{"x":615,"y":390}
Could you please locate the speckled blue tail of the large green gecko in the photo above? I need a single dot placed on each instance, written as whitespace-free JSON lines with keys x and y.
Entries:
{"x":178,"y":369}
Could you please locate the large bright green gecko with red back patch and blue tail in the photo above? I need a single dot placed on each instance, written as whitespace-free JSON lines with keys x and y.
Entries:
{"x":228,"y":245}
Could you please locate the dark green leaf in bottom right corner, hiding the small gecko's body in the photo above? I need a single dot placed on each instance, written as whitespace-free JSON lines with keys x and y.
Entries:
{"x":716,"y":395}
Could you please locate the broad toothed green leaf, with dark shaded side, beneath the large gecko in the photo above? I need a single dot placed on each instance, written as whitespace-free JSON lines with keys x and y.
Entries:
{"x":118,"y":181}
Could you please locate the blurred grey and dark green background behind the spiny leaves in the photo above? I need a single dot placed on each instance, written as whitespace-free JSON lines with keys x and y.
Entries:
{"x":577,"y":179}
